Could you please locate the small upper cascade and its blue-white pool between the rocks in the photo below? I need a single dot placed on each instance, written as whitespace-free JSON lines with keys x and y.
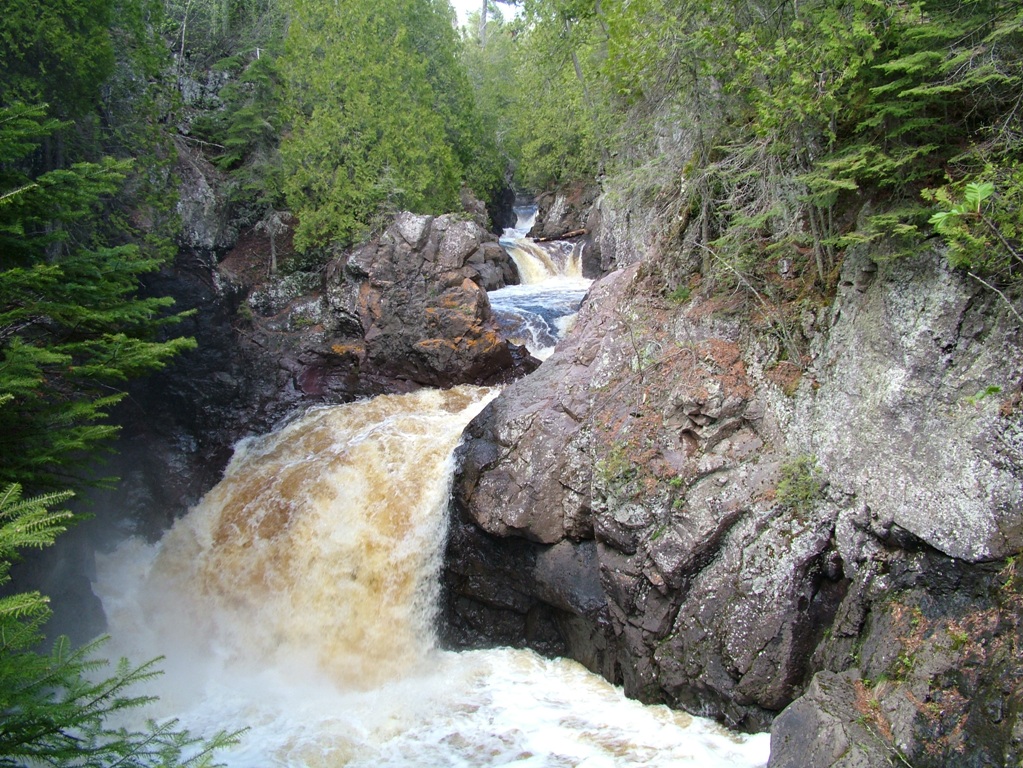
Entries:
{"x":538,"y":312}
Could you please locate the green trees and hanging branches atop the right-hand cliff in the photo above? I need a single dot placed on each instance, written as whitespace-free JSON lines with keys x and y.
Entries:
{"x":762,"y":129}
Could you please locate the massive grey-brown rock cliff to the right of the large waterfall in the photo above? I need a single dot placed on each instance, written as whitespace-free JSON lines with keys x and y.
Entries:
{"x":749,"y":530}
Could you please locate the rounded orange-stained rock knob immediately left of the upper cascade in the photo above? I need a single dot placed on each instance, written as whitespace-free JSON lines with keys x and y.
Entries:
{"x":418,"y":297}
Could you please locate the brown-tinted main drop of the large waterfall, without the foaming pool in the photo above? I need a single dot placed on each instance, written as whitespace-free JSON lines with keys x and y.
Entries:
{"x":321,"y":544}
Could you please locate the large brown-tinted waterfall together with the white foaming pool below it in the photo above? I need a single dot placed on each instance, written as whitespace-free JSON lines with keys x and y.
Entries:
{"x":298,"y":601}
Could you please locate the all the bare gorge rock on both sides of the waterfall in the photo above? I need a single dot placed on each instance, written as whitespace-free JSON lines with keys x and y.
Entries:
{"x":806,"y":525}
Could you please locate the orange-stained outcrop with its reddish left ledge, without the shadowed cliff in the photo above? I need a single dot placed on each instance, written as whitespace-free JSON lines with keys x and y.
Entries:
{"x":406,"y":310}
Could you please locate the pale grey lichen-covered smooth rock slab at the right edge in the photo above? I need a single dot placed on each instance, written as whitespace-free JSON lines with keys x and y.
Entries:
{"x":908,"y":412}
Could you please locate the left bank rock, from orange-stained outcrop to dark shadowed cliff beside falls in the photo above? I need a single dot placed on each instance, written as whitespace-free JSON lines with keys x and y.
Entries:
{"x":408,"y":310}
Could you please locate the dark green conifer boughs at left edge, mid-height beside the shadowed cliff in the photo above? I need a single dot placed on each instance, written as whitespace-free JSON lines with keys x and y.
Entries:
{"x":72,"y":327}
